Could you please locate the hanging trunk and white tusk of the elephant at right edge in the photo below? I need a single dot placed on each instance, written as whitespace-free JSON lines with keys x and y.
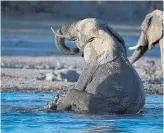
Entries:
{"x":139,"y":49}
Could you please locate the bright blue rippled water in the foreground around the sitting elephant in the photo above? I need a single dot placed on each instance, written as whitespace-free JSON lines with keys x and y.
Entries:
{"x":16,"y":121}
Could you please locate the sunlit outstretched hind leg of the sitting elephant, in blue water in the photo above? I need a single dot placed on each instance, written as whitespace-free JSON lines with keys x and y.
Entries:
{"x":73,"y":100}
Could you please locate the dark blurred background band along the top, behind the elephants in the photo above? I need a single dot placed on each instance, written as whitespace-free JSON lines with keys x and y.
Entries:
{"x":116,"y":11}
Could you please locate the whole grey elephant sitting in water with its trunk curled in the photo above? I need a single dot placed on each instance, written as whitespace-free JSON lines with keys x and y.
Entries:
{"x":108,"y":82}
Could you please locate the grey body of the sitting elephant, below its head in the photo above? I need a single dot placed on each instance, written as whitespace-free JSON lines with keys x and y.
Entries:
{"x":113,"y":87}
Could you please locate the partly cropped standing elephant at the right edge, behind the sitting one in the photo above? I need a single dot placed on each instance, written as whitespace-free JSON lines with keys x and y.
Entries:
{"x":151,"y":34}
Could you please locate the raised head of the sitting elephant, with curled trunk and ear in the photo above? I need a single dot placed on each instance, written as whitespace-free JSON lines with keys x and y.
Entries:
{"x":94,"y":37}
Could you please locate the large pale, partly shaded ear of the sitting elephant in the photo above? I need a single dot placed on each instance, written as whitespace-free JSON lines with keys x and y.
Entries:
{"x":105,"y":47}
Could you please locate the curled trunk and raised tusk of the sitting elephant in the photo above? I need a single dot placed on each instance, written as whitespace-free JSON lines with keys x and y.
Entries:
{"x":59,"y":42}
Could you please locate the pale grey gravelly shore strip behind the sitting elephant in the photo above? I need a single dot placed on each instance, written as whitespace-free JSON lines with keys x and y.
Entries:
{"x":20,"y":73}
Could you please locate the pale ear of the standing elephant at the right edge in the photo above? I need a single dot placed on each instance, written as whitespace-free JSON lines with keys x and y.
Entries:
{"x":152,"y":27}
